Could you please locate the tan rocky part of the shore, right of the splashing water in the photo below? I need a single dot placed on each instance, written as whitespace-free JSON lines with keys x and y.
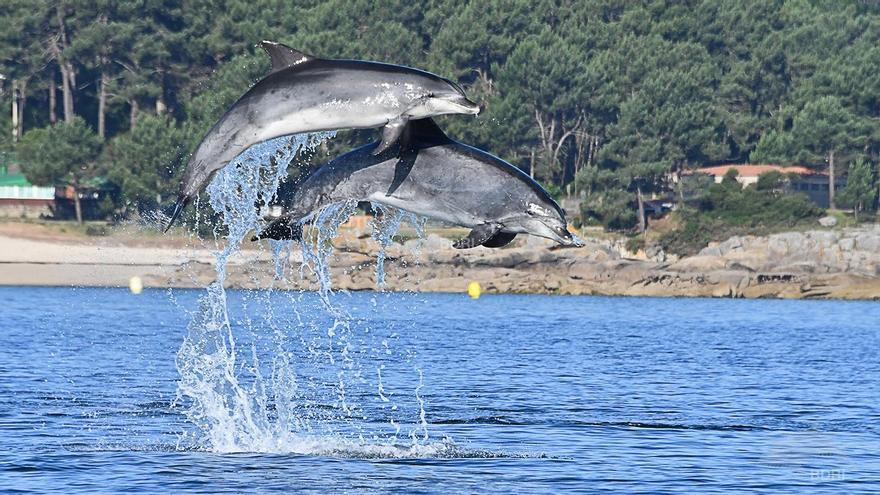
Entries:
{"x":819,"y":264}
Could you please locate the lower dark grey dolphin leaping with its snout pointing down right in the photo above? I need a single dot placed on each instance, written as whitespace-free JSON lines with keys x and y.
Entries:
{"x":431,"y":175}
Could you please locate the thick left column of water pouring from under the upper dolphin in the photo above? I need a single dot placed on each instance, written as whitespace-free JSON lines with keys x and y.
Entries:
{"x":232,"y":413}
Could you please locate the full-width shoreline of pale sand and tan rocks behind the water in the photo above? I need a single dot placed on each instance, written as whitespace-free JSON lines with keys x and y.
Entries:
{"x":843,"y":263}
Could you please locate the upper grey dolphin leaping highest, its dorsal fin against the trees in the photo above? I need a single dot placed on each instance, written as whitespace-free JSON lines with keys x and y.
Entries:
{"x":304,"y":93}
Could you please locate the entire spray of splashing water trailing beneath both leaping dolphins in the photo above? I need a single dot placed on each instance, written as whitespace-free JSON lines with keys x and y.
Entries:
{"x":265,"y":372}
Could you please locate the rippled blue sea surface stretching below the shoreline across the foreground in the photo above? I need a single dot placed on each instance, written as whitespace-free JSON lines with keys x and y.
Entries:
{"x":518,"y":394}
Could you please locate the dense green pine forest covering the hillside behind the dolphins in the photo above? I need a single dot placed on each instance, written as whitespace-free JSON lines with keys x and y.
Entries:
{"x":603,"y":100}
